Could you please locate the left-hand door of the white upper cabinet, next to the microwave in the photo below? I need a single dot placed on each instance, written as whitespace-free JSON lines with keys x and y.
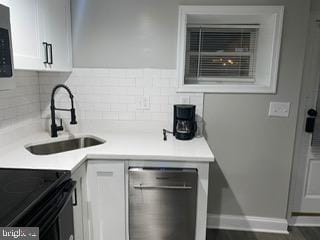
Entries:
{"x":26,"y":29}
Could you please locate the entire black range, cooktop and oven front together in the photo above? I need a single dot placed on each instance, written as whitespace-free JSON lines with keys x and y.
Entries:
{"x":38,"y":198}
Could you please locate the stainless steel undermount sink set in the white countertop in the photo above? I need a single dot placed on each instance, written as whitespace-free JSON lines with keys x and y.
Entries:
{"x":64,"y":146}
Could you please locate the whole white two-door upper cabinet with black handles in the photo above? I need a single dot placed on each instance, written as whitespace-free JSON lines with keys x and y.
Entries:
{"x":34,"y":22}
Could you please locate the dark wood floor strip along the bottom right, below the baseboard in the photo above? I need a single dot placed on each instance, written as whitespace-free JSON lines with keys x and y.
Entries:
{"x":296,"y":233}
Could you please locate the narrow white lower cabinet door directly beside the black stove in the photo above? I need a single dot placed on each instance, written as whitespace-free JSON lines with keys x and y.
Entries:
{"x":79,"y":209}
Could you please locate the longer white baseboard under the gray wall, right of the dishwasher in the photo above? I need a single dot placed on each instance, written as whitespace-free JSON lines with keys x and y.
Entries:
{"x":248,"y":223}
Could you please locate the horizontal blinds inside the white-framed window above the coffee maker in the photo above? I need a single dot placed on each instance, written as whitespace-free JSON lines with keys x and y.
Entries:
{"x":220,"y":53}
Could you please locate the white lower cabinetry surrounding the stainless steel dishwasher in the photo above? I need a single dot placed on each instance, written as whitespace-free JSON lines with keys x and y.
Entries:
{"x":101,"y":212}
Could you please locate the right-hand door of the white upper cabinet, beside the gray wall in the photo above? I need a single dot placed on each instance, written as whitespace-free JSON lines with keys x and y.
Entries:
{"x":57,"y":32}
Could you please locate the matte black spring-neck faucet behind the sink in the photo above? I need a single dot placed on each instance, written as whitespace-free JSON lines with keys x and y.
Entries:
{"x":54,"y":127}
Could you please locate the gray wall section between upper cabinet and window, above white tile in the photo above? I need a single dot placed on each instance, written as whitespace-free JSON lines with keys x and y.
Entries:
{"x":124,"y":33}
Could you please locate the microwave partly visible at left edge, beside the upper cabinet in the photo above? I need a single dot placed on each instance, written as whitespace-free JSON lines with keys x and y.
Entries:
{"x":6,"y":58}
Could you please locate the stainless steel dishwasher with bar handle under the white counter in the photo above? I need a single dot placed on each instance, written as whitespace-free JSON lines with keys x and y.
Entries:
{"x":162,"y":203}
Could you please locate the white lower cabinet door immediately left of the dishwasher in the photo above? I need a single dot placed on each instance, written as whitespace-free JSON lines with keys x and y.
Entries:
{"x":106,"y":196}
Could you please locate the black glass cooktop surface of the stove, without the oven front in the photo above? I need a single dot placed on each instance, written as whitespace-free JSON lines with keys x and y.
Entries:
{"x":21,"y":189}
